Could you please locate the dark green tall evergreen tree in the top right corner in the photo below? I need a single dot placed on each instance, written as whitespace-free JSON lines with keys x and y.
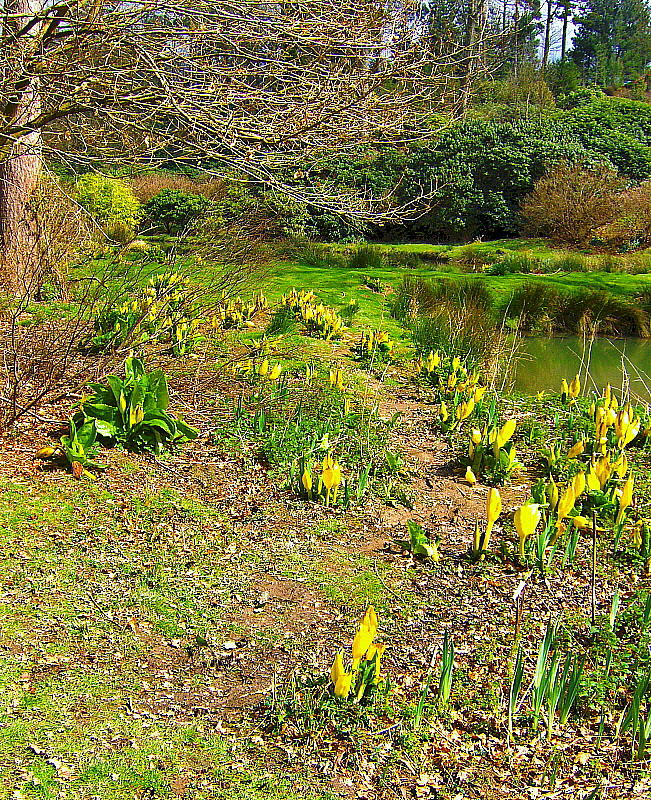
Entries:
{"x":612,"y":43}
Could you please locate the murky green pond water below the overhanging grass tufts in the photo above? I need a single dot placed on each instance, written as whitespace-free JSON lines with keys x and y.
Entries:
{"x":545,"y":362}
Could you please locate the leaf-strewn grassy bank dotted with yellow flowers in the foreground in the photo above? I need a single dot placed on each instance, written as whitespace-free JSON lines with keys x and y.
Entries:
{"x":168,"y":629}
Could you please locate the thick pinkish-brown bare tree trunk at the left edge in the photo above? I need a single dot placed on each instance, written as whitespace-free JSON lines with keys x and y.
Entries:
{"x":20,"y":167}
